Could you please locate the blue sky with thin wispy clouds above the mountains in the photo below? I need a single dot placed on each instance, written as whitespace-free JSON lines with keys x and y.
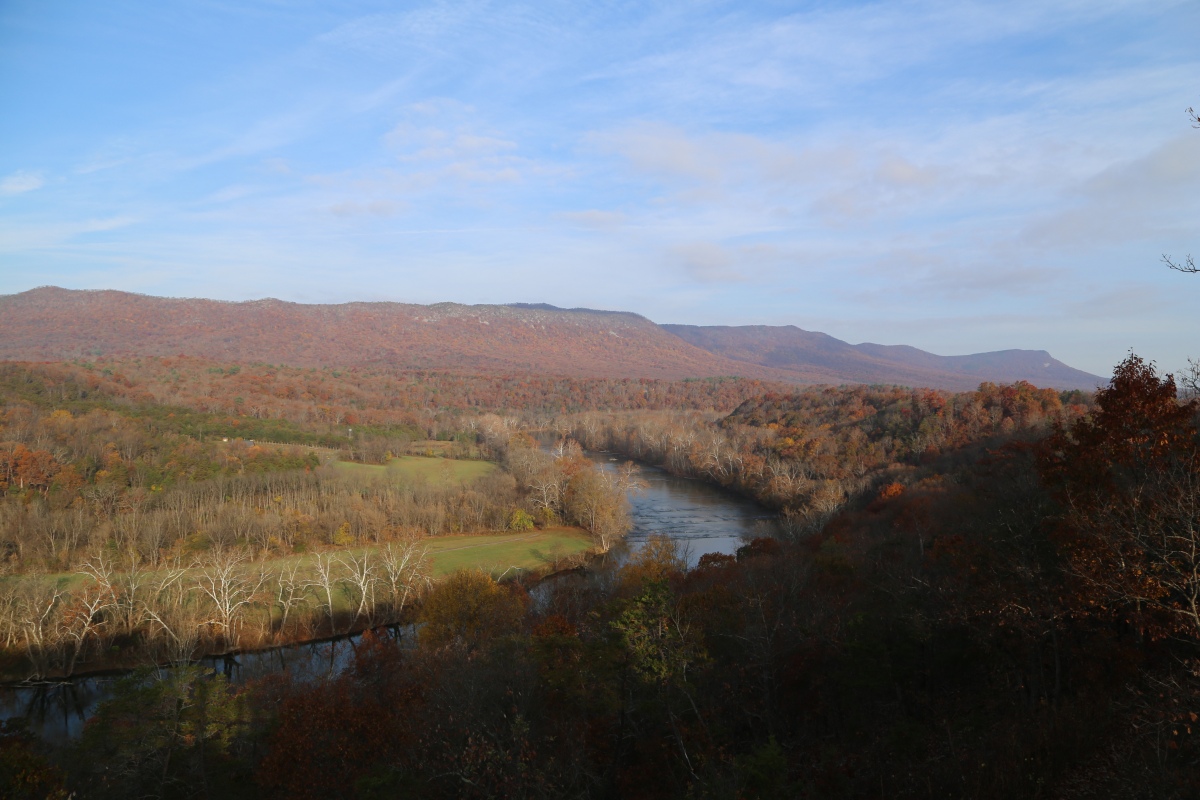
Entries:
{"x":959,"y":177}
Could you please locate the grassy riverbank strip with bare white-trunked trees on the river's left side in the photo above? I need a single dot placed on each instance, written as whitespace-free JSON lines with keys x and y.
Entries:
{"x":280,"y":601}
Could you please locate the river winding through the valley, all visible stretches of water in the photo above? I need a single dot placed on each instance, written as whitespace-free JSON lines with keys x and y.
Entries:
{"x":703,"y":519}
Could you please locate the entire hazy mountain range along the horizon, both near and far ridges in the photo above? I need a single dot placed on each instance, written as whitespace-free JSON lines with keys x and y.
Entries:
{"x":55,"y":324}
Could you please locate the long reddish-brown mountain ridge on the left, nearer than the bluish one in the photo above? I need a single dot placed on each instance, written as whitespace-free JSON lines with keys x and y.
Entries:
{"x":55,"y":324}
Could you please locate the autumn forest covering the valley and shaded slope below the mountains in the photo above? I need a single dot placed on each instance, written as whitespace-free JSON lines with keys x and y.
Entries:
{"x":986,"y":594}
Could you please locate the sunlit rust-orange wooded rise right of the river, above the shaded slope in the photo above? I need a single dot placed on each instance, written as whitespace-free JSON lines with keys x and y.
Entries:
{"x":809,"y":453}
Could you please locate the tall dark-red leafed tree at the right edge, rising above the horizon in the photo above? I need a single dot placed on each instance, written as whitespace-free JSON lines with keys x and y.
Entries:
{"x":1130,"y":480}
